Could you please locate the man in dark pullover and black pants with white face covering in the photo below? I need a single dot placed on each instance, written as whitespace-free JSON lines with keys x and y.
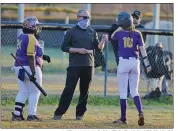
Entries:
{"x":80,"y":42}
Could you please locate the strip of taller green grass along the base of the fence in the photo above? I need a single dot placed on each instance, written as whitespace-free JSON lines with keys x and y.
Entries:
{"x":94,"y":100}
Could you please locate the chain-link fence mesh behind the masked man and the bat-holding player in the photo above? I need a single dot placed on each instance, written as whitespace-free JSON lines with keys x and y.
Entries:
{"x":54,"y":73}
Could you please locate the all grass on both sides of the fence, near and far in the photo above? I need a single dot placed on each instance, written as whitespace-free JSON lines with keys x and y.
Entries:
{"x":101,"y":110}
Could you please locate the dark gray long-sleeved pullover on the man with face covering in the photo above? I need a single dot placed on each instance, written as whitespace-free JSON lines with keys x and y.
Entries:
{"x":80,"y":38}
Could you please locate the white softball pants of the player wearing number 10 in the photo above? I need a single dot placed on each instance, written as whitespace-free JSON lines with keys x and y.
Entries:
{"x":128,"y":70}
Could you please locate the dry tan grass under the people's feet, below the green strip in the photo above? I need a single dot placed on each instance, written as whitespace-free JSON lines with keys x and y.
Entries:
{"x":95,"y":117}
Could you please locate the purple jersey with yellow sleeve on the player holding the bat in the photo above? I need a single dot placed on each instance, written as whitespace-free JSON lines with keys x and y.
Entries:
{"x":27,"y":45}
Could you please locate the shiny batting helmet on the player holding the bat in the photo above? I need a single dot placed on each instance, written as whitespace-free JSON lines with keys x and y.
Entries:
{"x":31,"y":22}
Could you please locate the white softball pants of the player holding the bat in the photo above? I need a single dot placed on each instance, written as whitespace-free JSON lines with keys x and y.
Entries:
{"x":28,"y":90}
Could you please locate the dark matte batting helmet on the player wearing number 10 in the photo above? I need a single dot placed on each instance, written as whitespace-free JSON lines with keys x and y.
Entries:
{"x":125,"y":20}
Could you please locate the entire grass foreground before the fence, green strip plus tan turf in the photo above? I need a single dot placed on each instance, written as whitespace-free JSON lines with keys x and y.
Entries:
{"x":100,"y":114}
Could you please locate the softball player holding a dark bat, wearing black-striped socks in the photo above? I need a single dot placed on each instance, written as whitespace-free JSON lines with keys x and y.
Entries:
{"x":29,"y":53}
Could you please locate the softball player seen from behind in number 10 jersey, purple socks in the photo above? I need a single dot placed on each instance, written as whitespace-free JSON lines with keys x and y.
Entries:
{"x":129,"y":42}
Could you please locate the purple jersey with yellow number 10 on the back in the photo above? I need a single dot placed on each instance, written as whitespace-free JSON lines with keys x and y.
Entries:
{"x":128,"y":42}
